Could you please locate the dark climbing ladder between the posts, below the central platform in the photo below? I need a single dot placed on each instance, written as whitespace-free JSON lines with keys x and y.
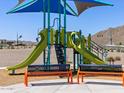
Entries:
{"x":59,"y":53}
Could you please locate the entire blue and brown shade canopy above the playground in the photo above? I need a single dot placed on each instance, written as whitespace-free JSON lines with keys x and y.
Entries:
{"x":55,"y":7}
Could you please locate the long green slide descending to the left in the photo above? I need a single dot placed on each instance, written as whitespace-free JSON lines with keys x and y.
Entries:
{"x":35,"y":53}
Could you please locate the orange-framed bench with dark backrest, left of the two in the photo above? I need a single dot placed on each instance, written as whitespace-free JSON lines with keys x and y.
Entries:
{"x":48,"y":70}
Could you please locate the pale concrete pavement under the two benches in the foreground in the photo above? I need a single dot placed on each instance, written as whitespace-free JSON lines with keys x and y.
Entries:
{"x":61,"y":86}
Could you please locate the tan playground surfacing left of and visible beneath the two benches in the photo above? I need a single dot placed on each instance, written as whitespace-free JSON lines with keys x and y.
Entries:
{"x":6,"y":79}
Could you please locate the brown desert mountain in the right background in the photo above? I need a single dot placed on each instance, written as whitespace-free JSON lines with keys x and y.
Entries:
{"x":110,"y":36}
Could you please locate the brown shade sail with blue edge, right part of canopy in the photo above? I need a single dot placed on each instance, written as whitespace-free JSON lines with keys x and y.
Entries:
{"x":82,"y":5}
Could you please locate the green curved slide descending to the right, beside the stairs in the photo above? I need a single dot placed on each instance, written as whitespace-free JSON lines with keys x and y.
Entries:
{"x":83,"y":51}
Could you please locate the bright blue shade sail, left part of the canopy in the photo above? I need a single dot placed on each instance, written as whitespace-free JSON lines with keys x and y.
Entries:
{"x":38,"y":6}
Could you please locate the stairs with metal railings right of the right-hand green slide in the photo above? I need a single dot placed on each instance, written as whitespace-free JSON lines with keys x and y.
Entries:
{"x":98,"y":50}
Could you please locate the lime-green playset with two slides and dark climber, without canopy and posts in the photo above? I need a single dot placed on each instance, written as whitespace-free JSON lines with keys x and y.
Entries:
{"x":77,"y":44}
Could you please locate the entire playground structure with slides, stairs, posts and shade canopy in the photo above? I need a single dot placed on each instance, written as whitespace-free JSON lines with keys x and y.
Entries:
{"x":85,"y":50}
